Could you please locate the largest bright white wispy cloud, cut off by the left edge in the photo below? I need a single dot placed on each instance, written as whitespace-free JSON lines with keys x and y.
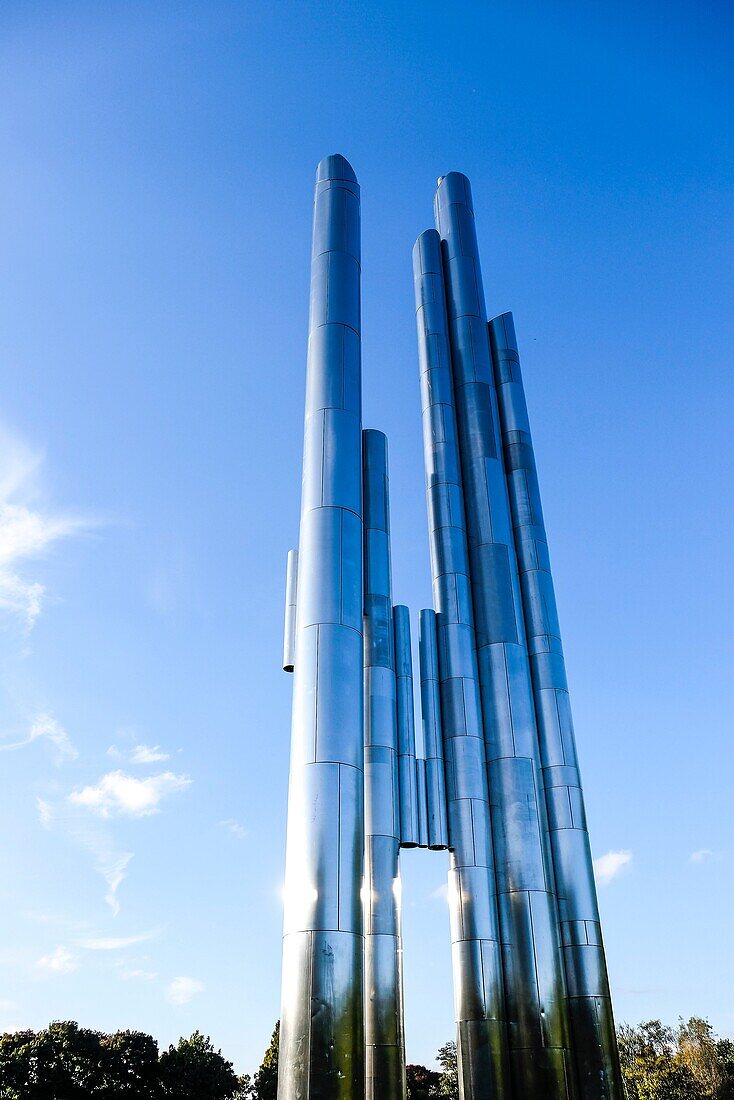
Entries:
{"x":27,"y":531}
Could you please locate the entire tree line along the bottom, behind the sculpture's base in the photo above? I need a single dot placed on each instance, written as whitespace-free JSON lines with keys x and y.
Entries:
{"x":67,"y":1062}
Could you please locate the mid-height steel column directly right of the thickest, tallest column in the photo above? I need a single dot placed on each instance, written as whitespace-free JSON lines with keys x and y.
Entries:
{"x":384,"y":954}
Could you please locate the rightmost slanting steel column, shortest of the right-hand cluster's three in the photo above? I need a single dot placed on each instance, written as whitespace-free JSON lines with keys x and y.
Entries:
{"x":593,"y":1022}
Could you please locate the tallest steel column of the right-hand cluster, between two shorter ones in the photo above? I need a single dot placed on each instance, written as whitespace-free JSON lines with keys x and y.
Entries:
{"x":539,"y":1035}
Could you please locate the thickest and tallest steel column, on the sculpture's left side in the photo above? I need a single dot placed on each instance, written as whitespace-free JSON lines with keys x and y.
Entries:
{"x":322,"y":1017}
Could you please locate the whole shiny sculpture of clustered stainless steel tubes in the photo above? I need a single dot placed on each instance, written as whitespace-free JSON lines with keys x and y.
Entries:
{"x":498,"y":784}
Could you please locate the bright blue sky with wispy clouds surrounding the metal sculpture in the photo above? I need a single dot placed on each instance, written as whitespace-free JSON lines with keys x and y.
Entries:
{"x":156,"y":193}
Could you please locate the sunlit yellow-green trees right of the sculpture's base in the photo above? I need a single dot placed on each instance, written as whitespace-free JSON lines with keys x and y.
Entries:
{"x":685,"y":1063}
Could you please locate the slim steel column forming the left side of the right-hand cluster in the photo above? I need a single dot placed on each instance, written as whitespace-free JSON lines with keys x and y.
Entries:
{"x":478,"y":985}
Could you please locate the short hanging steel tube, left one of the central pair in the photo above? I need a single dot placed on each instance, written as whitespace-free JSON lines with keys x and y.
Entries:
{"x":407,"y":752}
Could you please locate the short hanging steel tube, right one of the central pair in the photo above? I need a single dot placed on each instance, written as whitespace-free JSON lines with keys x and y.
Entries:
{"x":431,"y":713}
